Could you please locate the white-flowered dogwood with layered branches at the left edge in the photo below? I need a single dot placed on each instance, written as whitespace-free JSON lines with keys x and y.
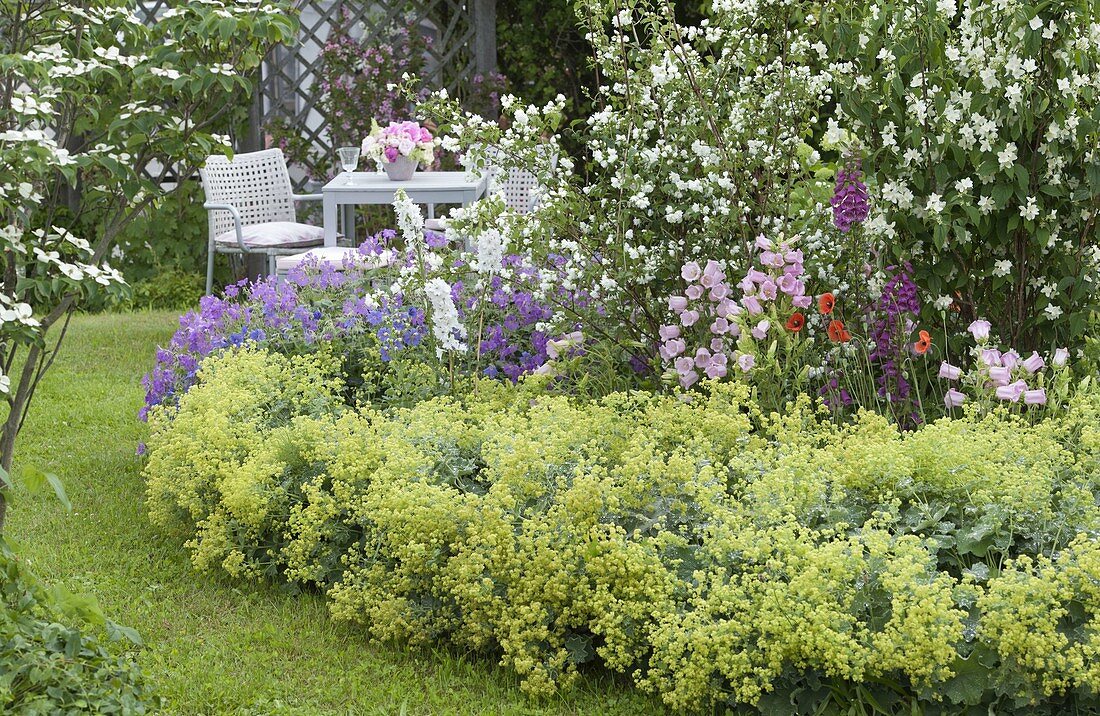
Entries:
{"x":91,"y":98}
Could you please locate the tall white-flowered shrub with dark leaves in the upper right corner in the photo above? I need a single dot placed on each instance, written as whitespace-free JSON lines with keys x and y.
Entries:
{"x":981,"y":122}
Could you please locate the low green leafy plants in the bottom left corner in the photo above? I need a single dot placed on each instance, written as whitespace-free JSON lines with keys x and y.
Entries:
{"x":52,"y":668}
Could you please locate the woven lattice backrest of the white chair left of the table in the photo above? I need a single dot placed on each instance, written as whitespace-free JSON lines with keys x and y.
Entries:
{"x":258,"y":185}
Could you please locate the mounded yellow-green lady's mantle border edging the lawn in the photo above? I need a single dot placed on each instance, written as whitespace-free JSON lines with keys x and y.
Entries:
{"x":714,"y":554}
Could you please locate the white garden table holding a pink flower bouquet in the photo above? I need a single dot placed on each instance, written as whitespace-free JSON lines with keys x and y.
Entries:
{"x":350,"y":190}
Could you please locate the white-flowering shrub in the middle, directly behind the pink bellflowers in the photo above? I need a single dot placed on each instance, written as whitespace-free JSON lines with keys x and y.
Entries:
{"x":698,"y":145}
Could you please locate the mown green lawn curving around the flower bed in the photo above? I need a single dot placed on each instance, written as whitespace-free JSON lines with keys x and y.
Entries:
{"x":215,"y":646}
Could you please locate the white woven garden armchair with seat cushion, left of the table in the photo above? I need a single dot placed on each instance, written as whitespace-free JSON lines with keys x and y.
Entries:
{"x":251,"y":205}
